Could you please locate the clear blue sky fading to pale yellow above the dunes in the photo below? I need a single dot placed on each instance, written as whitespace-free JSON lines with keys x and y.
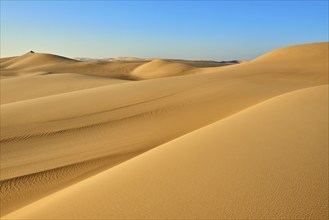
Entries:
{"x":217,"y":30}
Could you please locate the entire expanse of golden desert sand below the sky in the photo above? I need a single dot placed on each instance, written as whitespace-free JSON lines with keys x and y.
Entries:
{"x":170,"y":139}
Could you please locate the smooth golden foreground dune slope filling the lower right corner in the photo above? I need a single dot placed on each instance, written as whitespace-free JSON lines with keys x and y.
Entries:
{"x":277,"y":168}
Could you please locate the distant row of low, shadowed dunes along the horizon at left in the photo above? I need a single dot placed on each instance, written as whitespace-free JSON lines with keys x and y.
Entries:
{"x":123,"y":68}
